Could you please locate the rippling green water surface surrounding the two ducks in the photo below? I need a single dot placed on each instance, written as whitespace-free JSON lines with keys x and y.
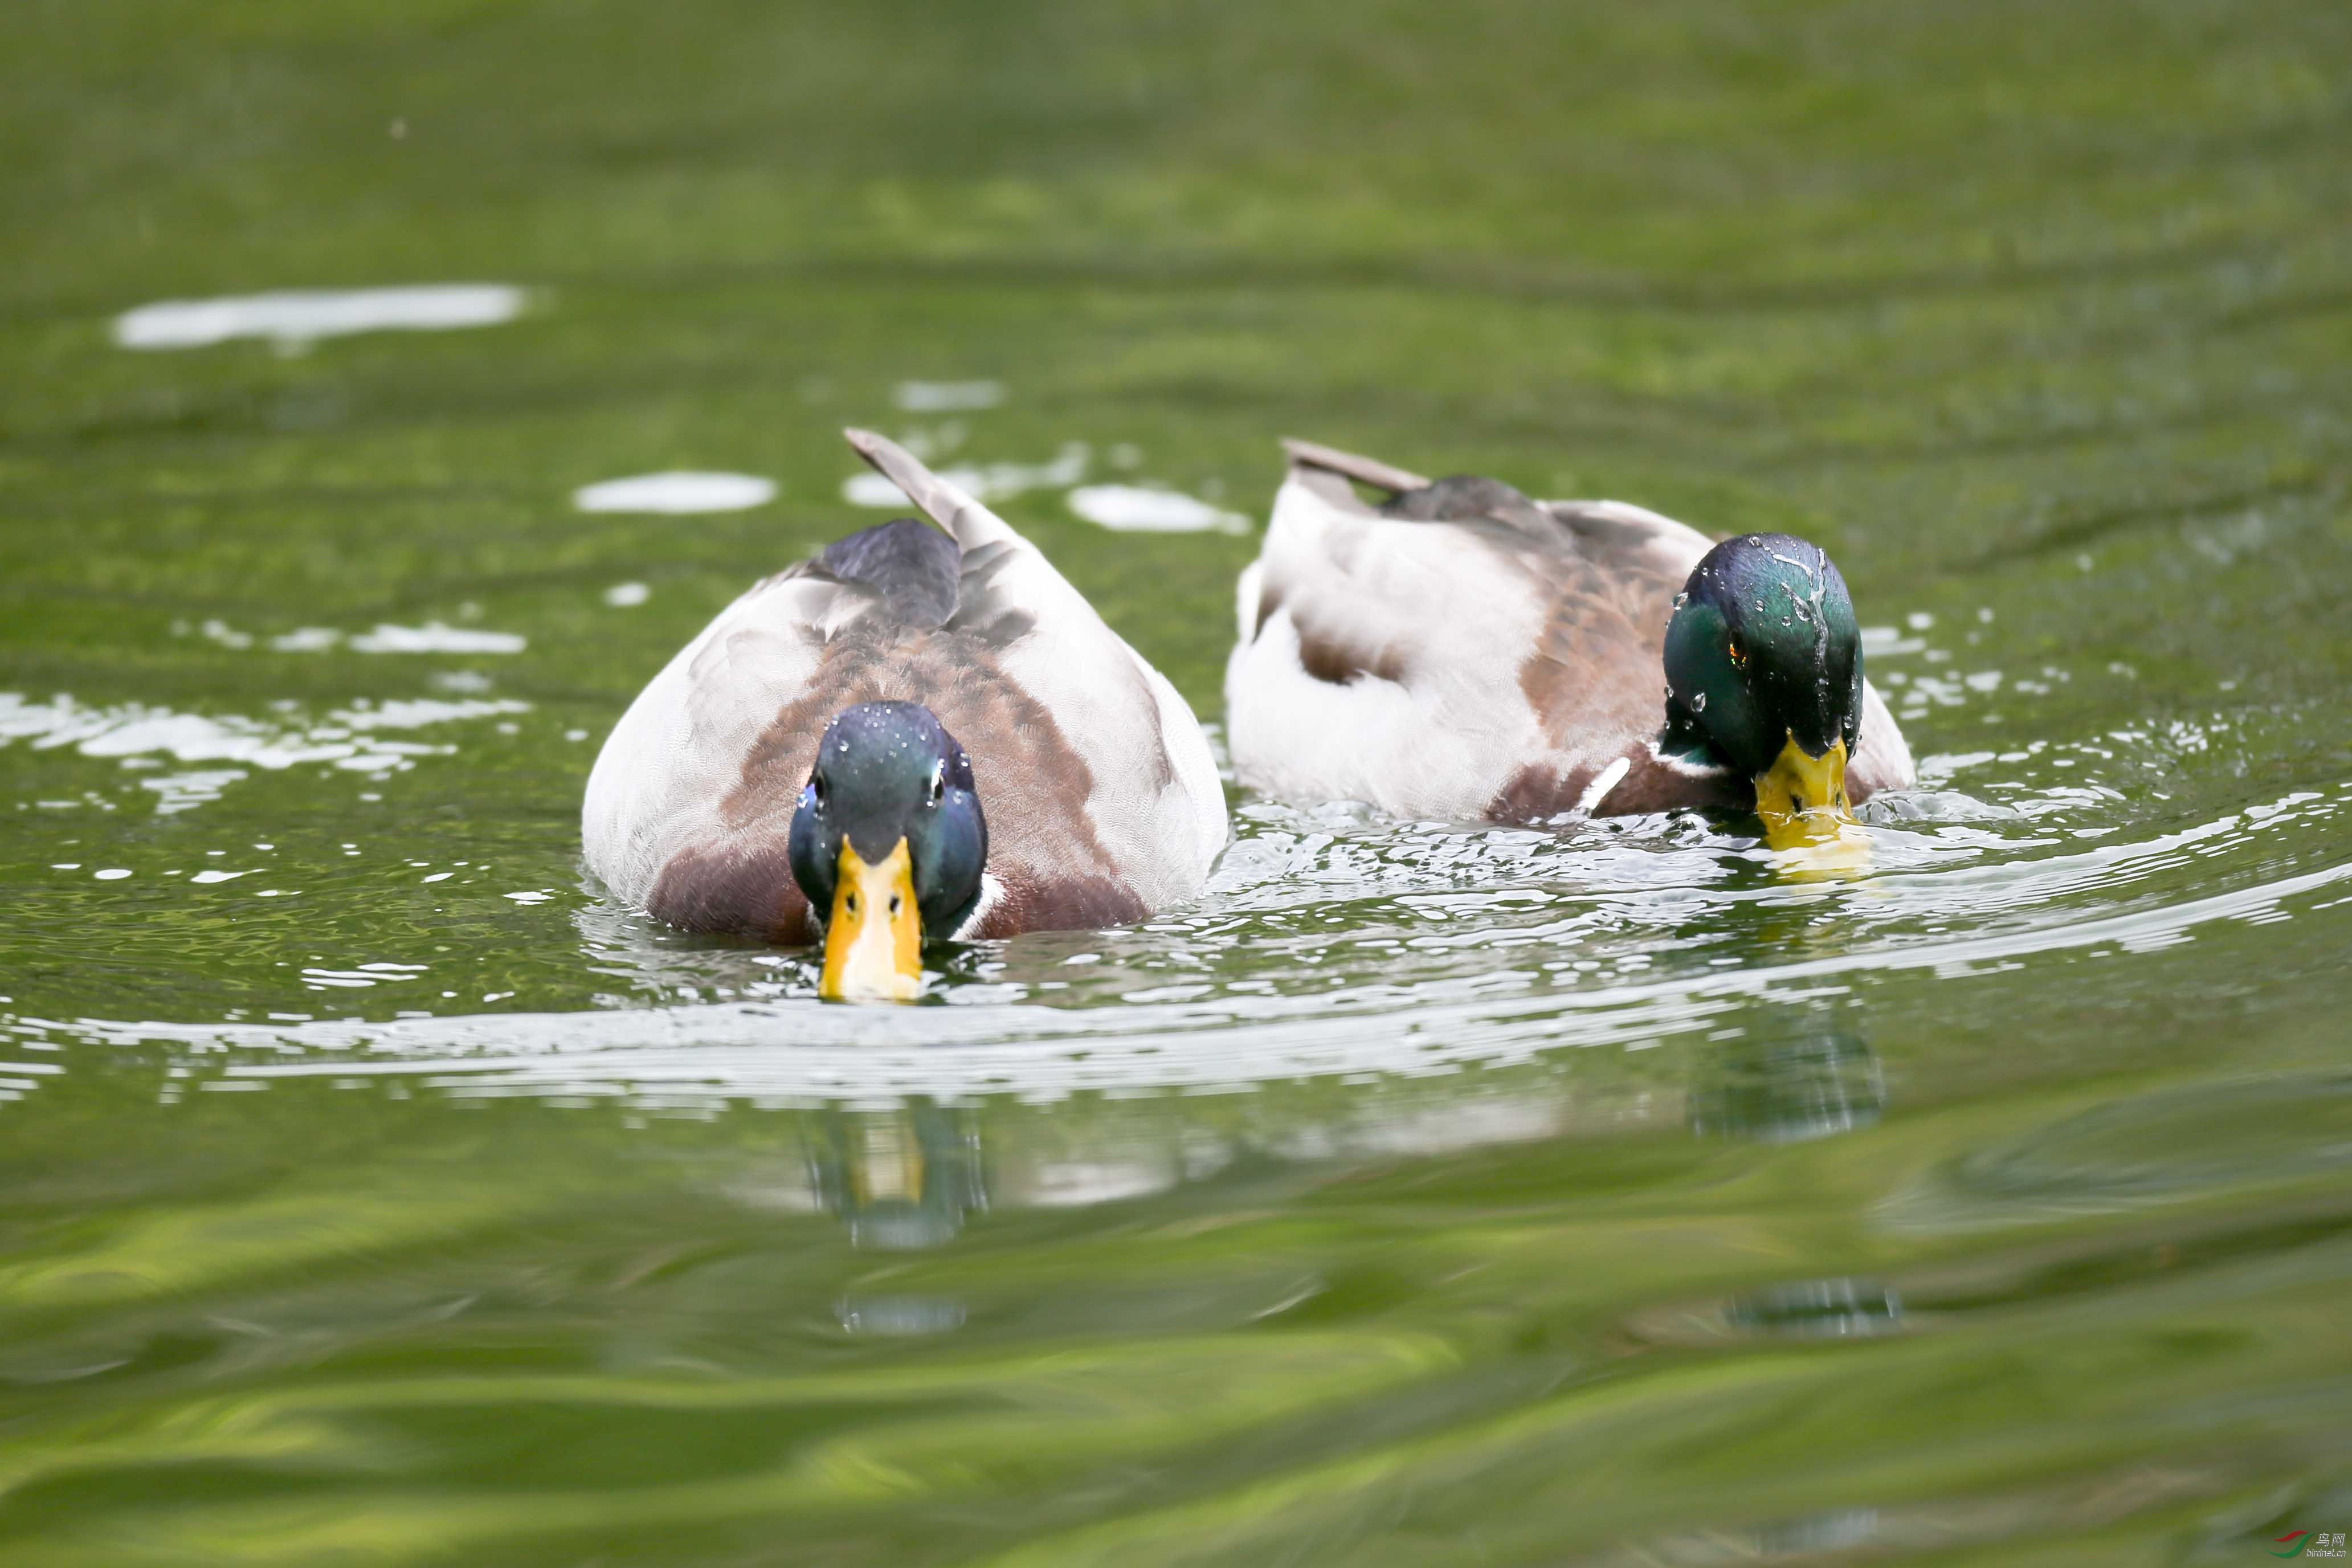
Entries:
{"x":375,"y":1191}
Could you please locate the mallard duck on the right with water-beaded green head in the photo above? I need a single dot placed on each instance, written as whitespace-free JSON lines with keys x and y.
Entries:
{"x":1464,"y":652}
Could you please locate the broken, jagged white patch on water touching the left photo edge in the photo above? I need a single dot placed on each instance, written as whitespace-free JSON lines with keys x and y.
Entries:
{"x":138,"y":735}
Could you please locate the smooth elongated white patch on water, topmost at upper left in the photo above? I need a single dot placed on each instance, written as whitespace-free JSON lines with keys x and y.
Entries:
{"x":298,"y":319}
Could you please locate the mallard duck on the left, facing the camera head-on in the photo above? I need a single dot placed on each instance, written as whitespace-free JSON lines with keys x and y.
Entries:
{"x":815,"y":765}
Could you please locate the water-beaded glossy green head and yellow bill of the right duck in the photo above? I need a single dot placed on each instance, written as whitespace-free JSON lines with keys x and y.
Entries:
{"x":1765,"y":664}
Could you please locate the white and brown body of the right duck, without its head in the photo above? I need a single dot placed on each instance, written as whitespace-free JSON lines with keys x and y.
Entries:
{"x":1466,"y":652}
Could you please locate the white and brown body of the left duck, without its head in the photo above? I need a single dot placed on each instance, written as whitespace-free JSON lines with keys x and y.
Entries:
{"x":1097,"y":784}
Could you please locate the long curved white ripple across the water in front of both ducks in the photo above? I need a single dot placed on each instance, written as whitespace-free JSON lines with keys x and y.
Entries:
{"x":796,"y":1050}
